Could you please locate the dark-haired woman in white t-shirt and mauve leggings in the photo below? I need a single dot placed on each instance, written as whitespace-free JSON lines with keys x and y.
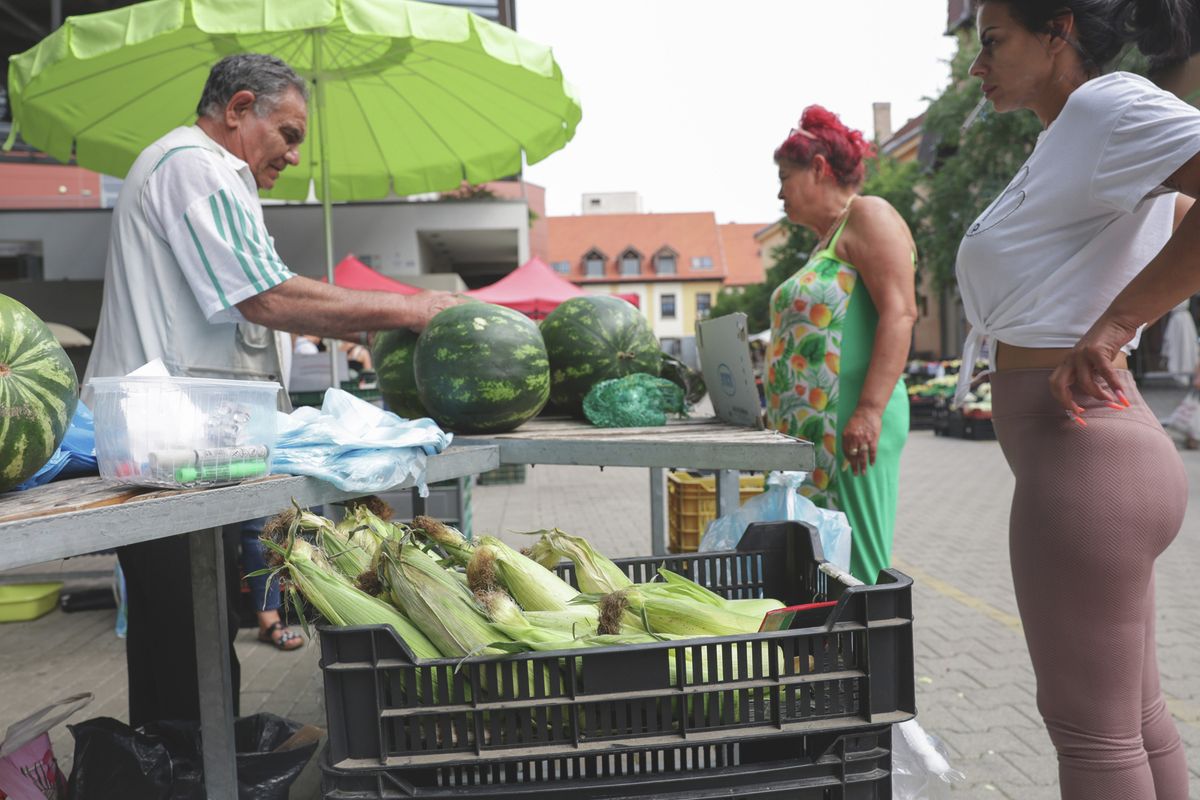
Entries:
{"x":1101,"y":490}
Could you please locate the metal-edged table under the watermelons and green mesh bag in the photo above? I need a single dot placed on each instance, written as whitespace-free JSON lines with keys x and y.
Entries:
{"x":698,"y":443}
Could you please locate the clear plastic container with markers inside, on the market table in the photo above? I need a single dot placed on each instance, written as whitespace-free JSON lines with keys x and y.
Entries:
{"x":184,"y":432}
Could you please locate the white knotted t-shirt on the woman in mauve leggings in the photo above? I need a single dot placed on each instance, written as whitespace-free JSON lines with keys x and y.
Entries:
{"x":1083,"y":216}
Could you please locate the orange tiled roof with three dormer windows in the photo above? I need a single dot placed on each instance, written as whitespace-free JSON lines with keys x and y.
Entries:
{"x":691,"y":236}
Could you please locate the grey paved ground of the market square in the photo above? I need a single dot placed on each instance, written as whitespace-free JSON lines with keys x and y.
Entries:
{"x":975,"y":687}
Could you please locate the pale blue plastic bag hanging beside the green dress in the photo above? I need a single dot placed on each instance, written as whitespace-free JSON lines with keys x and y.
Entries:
{"x":783,"y":503}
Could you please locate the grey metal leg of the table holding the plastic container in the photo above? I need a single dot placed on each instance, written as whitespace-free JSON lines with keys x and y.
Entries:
{"x":213,"y":664}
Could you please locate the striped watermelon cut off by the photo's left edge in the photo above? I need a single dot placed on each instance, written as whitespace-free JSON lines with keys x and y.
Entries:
{"x":39,"y":392}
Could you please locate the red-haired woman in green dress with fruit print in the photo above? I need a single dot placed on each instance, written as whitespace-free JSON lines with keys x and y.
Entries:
{"x":841,"y":332}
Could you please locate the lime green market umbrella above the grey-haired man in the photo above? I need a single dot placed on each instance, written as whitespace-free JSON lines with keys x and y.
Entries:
{"x":407,"y":98}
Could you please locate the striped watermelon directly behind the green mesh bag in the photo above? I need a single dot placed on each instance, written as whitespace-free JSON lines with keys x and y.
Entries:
{"x":595,"y":339}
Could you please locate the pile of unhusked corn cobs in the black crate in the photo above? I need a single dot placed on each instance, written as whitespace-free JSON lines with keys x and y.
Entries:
{"x":448,"y":597}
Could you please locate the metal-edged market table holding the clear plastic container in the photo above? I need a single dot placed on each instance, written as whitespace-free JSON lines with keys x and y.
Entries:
{"x":87,"y":515}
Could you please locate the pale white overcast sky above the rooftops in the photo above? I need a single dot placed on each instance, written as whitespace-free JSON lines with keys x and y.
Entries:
{"x":685,"y":101}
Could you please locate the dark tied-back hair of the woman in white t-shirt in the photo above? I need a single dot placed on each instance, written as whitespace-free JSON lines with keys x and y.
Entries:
{"x":1160,"y":28}
